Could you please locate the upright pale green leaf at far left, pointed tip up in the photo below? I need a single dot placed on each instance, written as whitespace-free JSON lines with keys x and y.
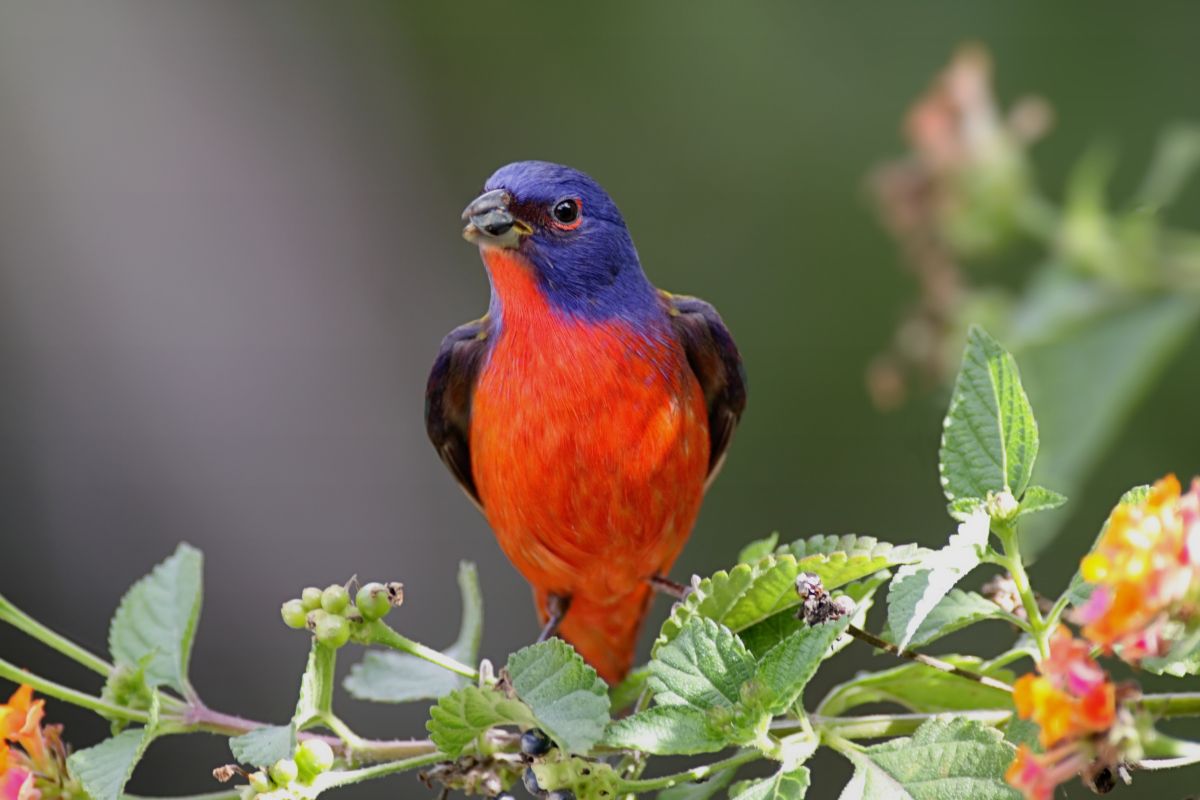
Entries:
{"x":155,"y":623}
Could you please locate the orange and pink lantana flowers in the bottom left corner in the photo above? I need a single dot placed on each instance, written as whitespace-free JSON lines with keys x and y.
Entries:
{"x":33,"y":757}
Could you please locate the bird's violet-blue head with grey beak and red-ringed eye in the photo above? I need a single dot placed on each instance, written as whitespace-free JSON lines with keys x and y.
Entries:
{"x":569,"y":233}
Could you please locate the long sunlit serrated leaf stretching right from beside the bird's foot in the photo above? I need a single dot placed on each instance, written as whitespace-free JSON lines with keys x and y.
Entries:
{"x":751,"y":594}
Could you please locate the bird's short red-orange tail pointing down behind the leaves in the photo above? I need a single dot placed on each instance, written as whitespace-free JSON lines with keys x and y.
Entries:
{"x":605,"y":630}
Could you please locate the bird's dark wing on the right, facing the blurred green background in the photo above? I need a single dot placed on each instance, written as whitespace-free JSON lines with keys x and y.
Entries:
{"x":717,"y":364}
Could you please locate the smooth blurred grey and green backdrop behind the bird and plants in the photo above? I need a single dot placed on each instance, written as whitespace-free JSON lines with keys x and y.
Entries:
{"x":230,"y":246}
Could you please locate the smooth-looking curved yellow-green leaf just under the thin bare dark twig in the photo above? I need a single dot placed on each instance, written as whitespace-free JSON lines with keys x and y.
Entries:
{"x":921,"y":689}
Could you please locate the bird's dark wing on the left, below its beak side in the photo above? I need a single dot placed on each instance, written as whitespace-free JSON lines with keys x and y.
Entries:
{"x":448,"y":399}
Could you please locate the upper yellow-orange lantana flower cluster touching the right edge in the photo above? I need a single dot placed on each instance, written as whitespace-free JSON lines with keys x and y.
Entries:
{"x":1147,"y":574}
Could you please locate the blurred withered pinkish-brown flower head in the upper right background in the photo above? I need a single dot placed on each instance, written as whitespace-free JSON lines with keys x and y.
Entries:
{"x":965,"y":189}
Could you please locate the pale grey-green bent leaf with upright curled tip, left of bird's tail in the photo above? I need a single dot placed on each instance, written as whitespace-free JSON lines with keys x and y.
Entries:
{"x":389,"y":677}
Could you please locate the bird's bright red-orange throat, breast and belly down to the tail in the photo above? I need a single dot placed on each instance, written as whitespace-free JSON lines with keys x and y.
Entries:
{"x":590,"y":452}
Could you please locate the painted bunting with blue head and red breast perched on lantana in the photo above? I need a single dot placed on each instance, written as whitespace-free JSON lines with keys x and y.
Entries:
{"x":587,"y":412}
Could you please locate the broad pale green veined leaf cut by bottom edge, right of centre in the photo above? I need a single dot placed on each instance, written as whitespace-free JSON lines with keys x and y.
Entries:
{"x":946,"y":760}
